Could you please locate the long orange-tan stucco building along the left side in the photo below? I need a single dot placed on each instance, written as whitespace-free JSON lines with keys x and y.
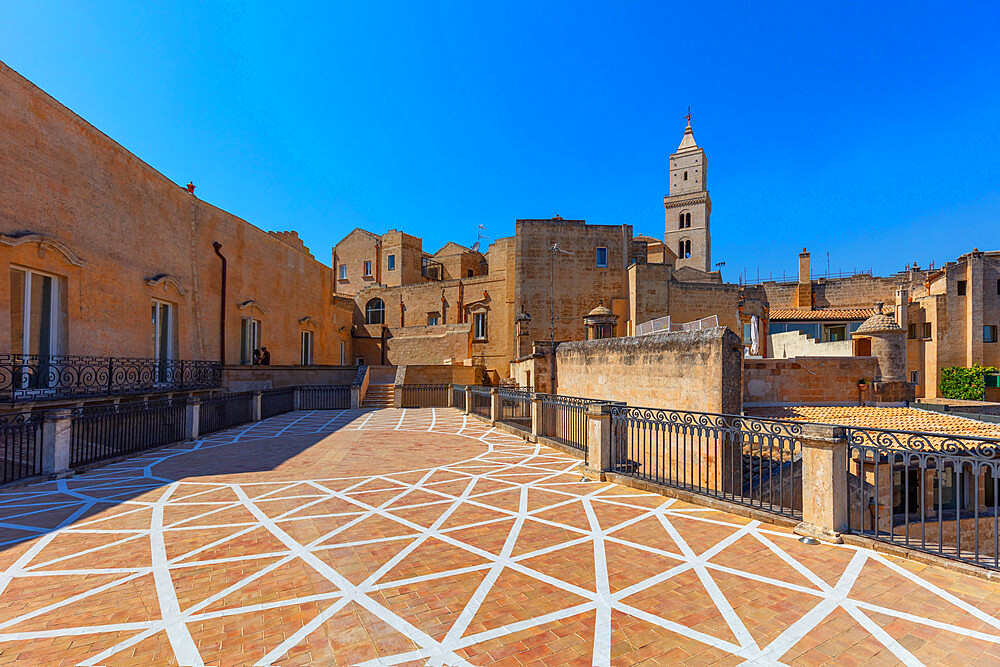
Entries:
{"x":103,"y":256}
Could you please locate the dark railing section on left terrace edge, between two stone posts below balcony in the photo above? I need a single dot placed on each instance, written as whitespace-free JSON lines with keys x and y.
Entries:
{"x":108,"y":431}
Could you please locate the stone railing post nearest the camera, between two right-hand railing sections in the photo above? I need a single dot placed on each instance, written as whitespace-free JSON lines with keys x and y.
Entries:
{"x":824,"y":482}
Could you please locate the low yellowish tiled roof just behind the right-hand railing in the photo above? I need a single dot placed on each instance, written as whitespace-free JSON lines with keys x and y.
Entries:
{"x":898,"y":419}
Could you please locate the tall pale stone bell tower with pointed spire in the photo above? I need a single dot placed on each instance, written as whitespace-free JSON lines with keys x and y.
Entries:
{"x":688,"y":206}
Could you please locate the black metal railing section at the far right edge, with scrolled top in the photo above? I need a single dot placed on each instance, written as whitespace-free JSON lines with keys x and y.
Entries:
{"x":932,"y":492}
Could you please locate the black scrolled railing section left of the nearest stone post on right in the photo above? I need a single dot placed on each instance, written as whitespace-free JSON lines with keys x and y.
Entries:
{"x":754,"y":462}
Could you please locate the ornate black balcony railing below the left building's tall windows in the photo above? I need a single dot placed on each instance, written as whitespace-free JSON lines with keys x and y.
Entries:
{"x":30,"y":377}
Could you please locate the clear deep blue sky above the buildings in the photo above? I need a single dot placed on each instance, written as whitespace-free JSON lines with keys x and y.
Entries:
{"x":868,"y":131}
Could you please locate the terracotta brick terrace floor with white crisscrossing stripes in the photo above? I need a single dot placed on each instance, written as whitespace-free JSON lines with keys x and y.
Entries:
{"x":424,"y":537}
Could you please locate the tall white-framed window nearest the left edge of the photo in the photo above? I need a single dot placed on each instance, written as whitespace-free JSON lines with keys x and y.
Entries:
{"x":37,"y":308}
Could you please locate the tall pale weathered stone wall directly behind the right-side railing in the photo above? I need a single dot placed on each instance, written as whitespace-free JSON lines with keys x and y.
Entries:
{"x":697,"y":371}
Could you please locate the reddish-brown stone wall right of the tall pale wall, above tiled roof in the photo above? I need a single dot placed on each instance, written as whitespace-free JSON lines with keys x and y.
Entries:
{"x":806,"y":380}
